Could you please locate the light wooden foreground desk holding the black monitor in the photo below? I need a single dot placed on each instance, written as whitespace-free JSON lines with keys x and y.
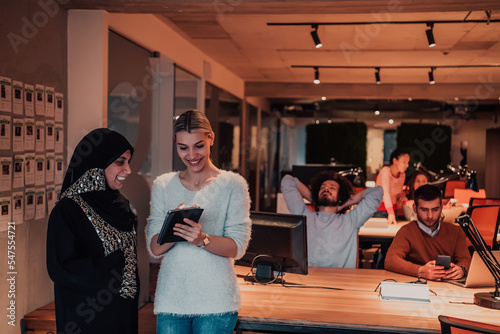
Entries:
{"x":356,"y":309}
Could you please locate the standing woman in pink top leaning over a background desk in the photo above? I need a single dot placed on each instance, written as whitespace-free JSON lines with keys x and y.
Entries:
{"x":392,"y":179}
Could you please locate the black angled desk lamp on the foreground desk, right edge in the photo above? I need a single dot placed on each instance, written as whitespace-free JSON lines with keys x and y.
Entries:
{"x":484,"y":299}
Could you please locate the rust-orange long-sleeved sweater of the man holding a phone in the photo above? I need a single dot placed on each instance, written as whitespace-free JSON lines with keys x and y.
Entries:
{"x":412,"y":248}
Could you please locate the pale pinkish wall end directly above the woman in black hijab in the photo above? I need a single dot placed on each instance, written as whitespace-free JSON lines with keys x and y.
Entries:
{"x":87,"y":73}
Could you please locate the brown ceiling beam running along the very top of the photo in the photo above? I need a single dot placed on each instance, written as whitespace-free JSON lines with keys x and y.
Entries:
{"x":284,"y":6}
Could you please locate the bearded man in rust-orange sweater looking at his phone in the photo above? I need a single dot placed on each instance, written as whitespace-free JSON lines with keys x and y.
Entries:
{"x":415,"y":247}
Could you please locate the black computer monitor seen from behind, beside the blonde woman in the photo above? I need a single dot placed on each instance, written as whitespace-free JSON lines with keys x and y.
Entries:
{"x":278,"y":244}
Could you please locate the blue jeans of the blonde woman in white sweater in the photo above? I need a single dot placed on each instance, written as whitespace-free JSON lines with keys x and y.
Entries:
{"x":203,"y":324}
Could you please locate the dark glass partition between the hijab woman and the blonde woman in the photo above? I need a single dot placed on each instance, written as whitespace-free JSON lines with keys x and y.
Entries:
{"x":130,"y":103}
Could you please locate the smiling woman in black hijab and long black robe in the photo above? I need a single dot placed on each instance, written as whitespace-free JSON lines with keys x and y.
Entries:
{"x":91,"y":241}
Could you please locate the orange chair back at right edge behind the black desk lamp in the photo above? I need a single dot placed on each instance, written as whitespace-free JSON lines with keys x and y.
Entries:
{"x":486,"y":218}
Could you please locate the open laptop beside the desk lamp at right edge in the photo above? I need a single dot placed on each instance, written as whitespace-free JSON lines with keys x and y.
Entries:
{"x":479,"y":275}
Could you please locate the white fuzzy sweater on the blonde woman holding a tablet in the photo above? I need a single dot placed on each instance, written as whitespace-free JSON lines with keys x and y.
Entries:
{"x":193,"y":281}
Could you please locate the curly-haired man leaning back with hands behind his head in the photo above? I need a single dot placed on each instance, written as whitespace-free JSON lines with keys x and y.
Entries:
{"x":333,"y":227}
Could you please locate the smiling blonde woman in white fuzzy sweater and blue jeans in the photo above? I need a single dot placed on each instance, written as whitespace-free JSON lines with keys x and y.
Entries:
{"x":197,"y":290}
